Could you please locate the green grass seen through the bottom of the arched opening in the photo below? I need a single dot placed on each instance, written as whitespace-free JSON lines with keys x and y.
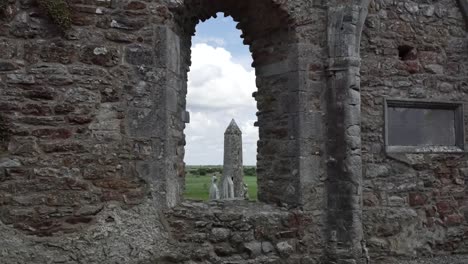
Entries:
{"x":198,"y":187}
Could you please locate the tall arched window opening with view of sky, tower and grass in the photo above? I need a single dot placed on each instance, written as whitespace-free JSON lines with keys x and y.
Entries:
{"x":221,"y":82}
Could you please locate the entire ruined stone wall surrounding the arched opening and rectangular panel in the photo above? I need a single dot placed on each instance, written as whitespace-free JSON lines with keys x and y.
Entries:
{"x":92,"y":137}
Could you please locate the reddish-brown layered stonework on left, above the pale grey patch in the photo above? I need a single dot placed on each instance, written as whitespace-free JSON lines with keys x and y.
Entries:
{"x":64,"y":101}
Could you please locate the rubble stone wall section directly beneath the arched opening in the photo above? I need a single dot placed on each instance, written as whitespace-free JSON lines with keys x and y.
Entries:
{"x":242,"y":232}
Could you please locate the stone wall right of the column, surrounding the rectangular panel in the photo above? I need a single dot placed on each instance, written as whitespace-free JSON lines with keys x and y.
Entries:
{"x":415,"y":204}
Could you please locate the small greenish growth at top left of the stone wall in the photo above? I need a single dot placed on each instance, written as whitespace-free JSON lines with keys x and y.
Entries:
{"x":59,"y":12}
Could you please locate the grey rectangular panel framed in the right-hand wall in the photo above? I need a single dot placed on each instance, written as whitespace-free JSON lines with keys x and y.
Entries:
{"x":421,"y":126}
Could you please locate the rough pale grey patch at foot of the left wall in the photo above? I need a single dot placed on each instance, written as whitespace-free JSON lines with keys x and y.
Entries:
{"x":117,"y":236}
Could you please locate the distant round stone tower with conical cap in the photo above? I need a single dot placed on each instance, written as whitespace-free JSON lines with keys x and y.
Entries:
{"x":233,"y":164}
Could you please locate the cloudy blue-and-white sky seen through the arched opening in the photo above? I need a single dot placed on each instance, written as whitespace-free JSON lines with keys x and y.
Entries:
{"x":220,"y":87}
